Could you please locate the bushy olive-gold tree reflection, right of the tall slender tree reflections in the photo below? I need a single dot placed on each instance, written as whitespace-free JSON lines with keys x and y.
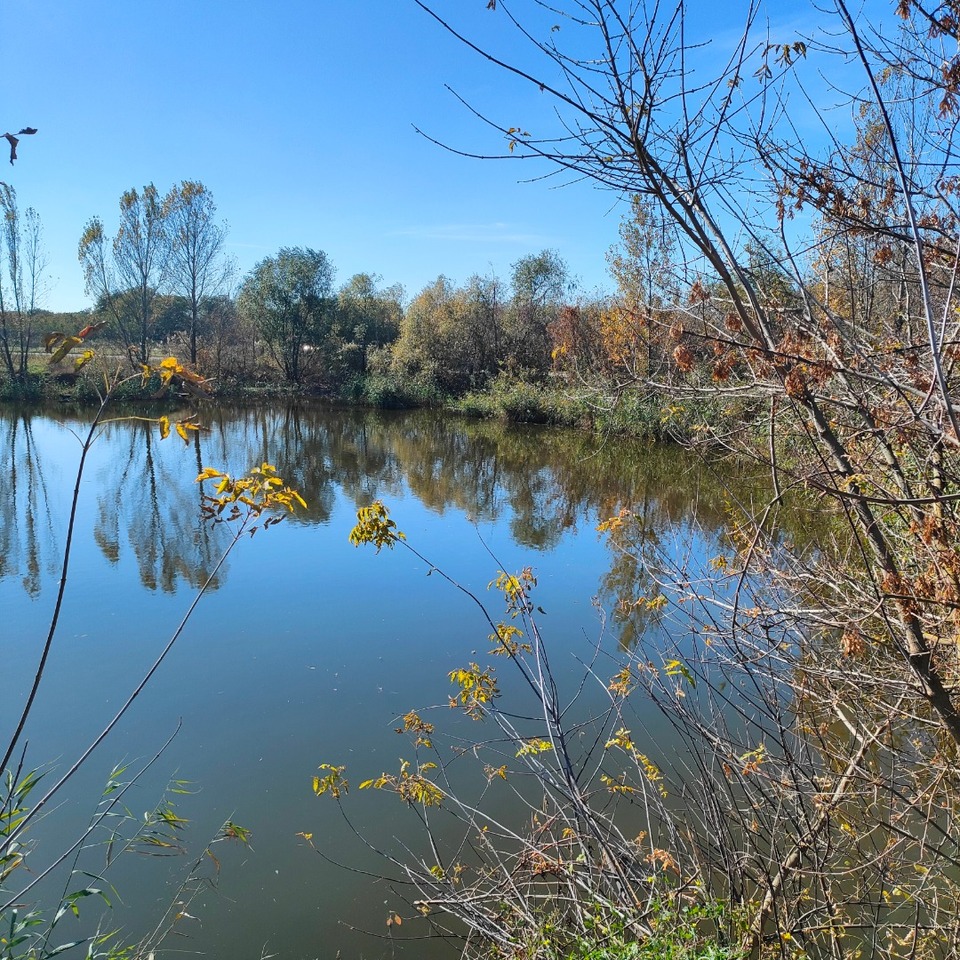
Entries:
{"x":545,"y":480}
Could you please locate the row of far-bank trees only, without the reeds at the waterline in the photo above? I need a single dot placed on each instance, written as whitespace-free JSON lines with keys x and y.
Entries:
{"x":163,"y":280}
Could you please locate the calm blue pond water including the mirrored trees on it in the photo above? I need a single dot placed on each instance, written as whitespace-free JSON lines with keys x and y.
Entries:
{"x":306,"y":650}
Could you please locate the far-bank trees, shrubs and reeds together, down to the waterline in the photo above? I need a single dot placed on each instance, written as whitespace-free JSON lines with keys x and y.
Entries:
{"x":532,"y":348}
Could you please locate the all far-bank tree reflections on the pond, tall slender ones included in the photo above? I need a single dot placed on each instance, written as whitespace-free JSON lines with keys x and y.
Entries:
{"x":543,"y":483}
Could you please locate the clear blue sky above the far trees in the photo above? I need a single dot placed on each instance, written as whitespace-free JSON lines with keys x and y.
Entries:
{"x":298,"y":115}
